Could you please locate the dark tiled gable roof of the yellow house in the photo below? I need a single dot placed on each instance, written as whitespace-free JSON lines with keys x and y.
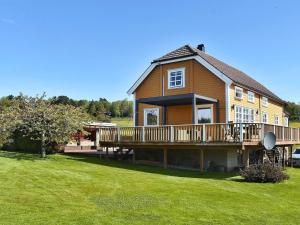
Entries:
{"x":236,"y":76}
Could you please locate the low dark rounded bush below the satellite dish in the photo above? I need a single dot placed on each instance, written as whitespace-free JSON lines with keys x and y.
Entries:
{"x":264,"y":173}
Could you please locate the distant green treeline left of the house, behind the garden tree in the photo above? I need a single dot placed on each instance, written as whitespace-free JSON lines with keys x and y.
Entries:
{"x":100,"y":110}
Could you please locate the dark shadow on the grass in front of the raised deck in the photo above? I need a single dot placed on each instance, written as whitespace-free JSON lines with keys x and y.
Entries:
{"x":151,"y":169}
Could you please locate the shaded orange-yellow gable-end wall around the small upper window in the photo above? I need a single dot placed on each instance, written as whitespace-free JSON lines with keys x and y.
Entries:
{"x":198,"y":80}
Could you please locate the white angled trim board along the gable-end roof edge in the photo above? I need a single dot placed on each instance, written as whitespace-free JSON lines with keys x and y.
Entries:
{"x":199,"y":59}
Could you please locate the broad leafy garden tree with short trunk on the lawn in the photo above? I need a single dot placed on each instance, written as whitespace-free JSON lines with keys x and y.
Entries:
{"x":44,"y":121}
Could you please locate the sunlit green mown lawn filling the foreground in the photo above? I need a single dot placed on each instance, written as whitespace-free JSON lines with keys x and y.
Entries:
{"x":86,"y":190}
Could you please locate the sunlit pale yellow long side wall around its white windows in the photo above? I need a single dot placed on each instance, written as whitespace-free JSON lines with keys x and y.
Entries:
{"x":273,"y":108}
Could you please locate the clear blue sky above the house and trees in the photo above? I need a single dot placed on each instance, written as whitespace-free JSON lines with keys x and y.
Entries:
{"x":91,"y":49}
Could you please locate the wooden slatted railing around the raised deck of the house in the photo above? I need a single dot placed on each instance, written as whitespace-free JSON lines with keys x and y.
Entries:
{"x":199,"y":133}
